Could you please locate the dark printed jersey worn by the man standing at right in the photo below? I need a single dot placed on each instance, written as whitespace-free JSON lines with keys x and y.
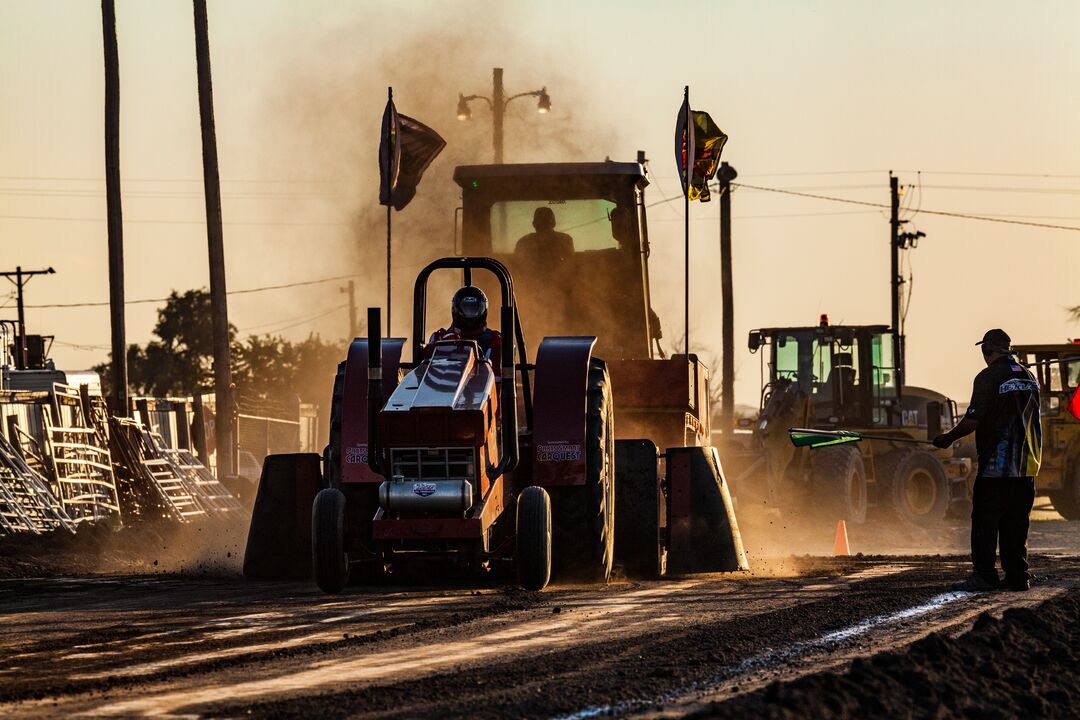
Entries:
{"x":1006,"y":403}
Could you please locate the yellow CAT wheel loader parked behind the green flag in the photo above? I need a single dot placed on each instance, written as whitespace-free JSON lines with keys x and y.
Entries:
{"x":845,"y":377}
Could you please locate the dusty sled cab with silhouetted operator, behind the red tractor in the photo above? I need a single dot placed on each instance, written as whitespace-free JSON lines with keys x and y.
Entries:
{"x":575,"y":238}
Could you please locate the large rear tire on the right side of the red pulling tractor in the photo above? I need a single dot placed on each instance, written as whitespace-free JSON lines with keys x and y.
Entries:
{"x":585,"y":515}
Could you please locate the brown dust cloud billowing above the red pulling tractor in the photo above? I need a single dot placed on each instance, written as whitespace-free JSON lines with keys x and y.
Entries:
{"x":323,"y":121}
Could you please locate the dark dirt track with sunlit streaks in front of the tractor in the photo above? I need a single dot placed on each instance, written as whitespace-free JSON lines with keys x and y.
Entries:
{"x":219,"y":646}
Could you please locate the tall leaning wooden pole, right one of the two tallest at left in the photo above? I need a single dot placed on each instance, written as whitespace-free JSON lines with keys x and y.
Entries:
{"x":223,"y":376}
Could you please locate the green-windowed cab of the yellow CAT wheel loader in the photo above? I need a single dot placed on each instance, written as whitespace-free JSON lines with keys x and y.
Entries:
{"x":847,"y":374}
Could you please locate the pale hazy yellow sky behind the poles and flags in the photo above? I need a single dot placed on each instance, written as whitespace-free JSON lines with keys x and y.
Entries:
{"x":979,"y":103}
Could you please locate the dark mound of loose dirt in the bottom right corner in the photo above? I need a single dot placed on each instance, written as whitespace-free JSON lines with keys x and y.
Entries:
{"x":1028,"y":664}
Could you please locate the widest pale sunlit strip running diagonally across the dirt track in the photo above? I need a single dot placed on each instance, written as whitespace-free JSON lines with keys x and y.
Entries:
{"x":586,"y":623}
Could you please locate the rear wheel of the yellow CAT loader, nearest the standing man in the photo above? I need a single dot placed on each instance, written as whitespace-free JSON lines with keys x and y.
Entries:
{"x":914,"y":485}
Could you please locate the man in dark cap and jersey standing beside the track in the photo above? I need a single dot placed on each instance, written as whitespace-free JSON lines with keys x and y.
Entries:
{"x":1005,"y":416}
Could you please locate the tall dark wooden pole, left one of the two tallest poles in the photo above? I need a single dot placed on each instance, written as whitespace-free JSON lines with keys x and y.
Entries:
{"x":115,"y":216}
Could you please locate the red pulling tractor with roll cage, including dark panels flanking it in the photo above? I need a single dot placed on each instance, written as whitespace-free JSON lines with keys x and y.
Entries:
{"x":452,"y":458}
